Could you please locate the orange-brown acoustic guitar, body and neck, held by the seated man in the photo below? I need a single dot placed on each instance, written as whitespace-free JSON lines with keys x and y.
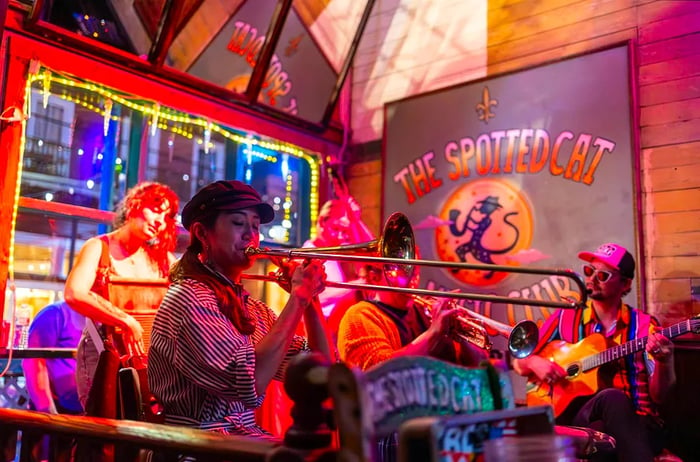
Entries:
{"x":581,"y":362}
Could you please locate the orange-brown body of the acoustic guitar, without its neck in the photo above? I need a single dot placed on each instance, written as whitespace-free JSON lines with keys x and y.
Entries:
{"x":578,"y":382}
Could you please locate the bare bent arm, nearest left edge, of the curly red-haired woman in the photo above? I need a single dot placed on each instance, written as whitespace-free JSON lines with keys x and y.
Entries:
{"x":81,"y":298}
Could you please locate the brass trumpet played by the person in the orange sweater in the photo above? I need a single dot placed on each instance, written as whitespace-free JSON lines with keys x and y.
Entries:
{"x":473,"y":328}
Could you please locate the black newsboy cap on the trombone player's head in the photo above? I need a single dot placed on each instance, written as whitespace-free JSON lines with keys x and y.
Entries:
{"x":225,"y":195}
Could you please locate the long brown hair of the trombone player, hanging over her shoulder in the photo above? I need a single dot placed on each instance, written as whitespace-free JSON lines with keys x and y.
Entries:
{"x":190,"y":266}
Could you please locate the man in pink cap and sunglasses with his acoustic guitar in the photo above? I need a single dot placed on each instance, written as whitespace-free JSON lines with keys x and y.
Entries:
{"x":605,"y":366}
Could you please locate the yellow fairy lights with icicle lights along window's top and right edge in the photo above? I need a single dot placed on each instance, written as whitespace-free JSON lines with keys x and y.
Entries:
{"x":102,"y":100}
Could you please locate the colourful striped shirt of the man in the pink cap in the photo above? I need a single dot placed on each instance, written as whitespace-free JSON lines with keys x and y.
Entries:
{"x":632,"y":372}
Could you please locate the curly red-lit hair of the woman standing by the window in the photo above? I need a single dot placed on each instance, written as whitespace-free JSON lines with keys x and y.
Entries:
{"x":153,"y":195}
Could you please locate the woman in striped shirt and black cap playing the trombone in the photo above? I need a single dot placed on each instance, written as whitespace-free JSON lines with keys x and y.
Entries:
{"x":214,"y":349}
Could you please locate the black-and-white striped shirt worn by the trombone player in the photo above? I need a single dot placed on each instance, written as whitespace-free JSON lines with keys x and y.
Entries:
{"x":200,"y":368}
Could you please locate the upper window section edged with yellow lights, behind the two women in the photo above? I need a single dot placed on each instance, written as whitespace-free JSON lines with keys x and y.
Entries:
{"x":85,"y":145}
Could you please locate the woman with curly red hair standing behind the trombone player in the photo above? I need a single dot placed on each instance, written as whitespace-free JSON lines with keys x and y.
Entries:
{"x":140,"y":248}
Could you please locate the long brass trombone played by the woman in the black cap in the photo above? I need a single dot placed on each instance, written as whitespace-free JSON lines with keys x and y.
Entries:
{"x":397,"y":249}
